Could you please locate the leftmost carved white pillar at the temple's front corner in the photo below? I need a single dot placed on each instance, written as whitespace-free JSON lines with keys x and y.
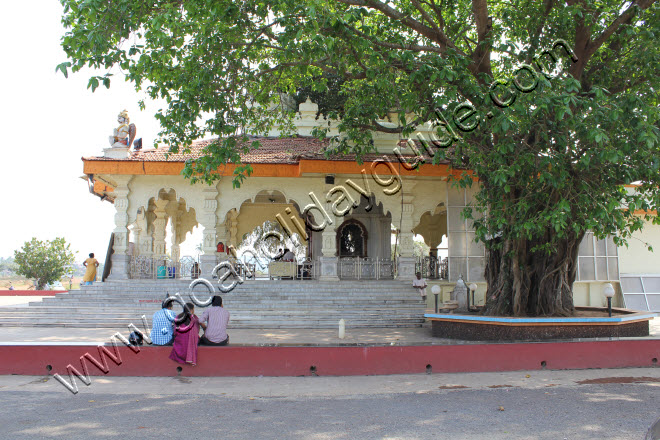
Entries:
{"x":120,"y":259}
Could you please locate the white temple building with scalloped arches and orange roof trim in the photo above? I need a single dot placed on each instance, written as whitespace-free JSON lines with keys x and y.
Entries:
{"x":351,"y":221}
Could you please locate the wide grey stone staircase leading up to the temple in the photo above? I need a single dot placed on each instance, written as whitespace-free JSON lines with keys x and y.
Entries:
{"x":253,"y":304}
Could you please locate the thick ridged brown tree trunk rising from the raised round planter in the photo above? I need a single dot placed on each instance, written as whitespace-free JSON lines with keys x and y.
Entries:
{"x":526,"y":283}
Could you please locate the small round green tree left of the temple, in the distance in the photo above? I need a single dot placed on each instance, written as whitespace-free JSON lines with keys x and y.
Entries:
{"x":43,"y":261}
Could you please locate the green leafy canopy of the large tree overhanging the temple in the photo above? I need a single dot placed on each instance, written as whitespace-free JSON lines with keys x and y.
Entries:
{"x":553,"y":161}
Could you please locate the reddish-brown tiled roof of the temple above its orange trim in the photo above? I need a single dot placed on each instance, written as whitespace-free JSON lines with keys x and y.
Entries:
{"x":273,"y":150}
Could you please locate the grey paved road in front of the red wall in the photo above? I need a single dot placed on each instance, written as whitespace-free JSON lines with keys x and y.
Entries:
{"x":593,"y":404}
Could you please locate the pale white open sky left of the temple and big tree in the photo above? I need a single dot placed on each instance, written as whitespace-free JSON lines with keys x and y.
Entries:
{"x":48,"y":124}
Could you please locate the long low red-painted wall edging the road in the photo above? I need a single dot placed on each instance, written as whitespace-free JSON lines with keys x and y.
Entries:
{"x":336,"y":361}
